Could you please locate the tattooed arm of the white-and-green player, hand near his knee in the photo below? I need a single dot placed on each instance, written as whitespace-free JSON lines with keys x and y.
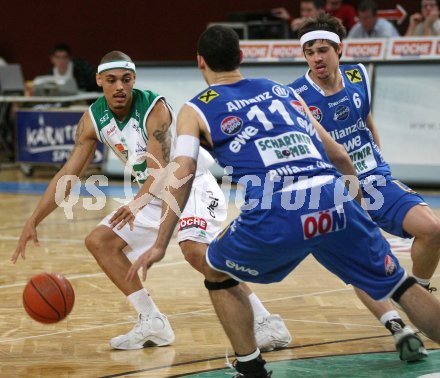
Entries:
{"x":158,"y":157}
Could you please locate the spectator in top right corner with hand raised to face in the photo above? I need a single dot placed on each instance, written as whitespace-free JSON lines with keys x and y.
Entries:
{"x":426,"y":23}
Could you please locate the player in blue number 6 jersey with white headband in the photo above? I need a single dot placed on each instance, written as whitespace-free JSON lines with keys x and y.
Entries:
{"x":339,"y":98}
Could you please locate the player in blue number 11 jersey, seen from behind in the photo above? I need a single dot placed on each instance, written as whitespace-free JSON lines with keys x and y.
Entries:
{"x":253,"y":127}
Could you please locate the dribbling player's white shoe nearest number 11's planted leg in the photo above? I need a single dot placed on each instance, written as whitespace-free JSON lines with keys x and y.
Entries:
{"x":271,"y":333}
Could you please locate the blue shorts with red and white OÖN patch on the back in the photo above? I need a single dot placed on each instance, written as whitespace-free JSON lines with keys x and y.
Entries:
{"x":265,"y":245}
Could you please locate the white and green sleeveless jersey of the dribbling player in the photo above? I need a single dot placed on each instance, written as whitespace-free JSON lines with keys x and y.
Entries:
{"x":128,"y":139}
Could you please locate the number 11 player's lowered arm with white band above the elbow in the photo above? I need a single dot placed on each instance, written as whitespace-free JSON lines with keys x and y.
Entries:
{"x":181,"y":175}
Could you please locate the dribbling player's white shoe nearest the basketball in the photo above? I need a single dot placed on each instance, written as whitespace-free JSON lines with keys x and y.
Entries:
{"x":149,"y":331}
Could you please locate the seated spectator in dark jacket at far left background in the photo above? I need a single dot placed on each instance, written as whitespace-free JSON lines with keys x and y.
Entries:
{"x":65,"y":67}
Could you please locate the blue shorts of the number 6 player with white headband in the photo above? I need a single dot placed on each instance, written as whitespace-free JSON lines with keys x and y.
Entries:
{"x":390,"y":201}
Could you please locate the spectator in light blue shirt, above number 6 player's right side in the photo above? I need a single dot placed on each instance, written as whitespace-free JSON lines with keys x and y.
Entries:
{"x":369,"y":25}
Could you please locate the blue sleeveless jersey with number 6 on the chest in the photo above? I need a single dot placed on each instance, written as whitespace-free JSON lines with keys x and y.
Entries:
{"x":344,"y":116}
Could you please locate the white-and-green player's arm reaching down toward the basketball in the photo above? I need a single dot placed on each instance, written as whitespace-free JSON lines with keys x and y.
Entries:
{"x":82,"y":154}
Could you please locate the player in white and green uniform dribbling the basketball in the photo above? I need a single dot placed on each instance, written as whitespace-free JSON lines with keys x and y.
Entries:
{"x":136,"y":125}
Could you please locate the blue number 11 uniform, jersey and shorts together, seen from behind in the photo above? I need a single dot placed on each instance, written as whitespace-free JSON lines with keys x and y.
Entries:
{"x":259,"y":133}
